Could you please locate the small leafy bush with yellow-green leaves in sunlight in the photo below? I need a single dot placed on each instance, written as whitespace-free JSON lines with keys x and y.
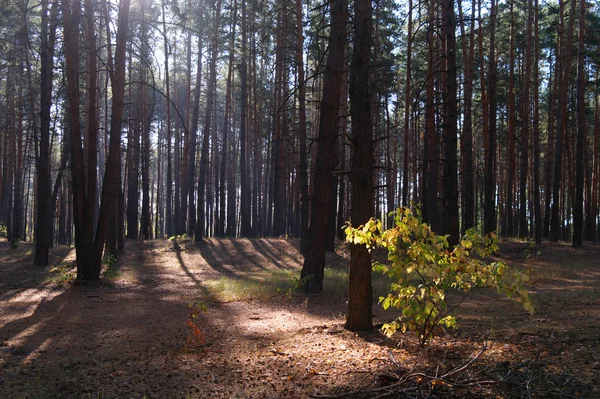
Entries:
{"x":423,"y":270}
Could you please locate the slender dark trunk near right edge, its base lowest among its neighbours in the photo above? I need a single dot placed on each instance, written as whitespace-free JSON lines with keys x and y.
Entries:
{"x":581,"y":133}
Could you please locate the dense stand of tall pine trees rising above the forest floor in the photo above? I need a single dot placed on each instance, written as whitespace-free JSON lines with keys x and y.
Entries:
{"x":245,"y":118}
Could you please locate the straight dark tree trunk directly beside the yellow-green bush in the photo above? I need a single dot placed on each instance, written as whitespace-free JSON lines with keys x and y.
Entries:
{"x":360,"y":300}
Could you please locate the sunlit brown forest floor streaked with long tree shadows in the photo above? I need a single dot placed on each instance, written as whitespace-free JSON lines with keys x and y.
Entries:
{"x":129,"y":335}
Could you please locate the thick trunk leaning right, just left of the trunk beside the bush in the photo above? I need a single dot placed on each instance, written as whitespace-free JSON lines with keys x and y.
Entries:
{"x":314,"y":261}
